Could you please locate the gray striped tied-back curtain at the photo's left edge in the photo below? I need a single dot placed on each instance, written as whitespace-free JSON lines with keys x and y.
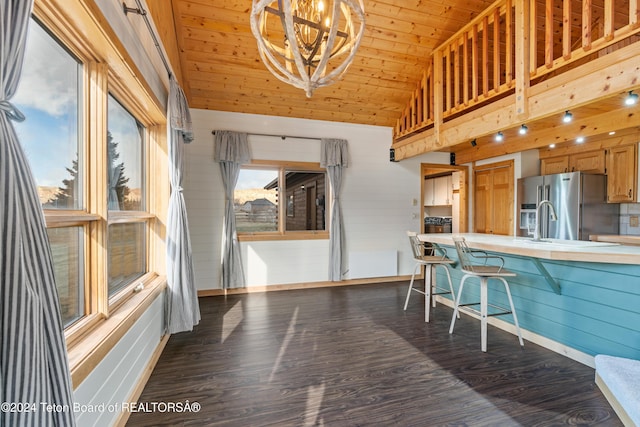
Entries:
{"x":33,"y":358}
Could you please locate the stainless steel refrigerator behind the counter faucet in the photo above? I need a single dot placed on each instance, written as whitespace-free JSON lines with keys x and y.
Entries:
{"x":580,"y":204}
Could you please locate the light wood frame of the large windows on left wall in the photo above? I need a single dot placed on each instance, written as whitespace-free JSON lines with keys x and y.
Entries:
{"x":107,"y":68}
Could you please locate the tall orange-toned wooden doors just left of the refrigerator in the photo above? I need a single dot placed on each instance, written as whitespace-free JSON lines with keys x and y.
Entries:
{"x":493,"y":198}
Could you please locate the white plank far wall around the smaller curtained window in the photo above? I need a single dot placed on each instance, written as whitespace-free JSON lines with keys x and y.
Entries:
{"x":376,"y":199}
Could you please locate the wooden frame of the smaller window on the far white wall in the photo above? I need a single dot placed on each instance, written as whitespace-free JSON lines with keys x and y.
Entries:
{"x":282,"y":234}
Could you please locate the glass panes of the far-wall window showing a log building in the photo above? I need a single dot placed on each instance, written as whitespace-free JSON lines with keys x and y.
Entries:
{"x":281,"y":199}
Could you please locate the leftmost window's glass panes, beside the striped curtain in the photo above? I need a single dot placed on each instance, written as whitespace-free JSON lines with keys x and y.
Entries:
{"x":49,"y":95}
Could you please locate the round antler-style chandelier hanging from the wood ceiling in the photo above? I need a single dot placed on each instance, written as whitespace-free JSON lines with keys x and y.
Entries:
{"x":307,"y":43}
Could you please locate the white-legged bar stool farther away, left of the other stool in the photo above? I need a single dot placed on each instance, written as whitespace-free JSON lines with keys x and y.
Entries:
{"x":430,"y":261}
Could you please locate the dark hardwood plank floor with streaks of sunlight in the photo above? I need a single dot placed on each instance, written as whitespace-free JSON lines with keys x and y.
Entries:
{"x":350,"y":356}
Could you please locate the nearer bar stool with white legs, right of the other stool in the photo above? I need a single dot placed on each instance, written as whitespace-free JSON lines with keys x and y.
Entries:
{"x":484,"y":272}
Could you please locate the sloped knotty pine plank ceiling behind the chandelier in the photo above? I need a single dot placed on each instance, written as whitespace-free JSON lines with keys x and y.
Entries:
{"x":220,"y":68}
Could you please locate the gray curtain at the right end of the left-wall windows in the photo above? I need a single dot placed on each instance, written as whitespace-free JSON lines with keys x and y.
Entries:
{"x":183,"y":311}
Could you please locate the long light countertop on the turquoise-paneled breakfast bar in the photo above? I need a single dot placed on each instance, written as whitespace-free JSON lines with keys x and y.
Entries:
{"x":560,"y":250}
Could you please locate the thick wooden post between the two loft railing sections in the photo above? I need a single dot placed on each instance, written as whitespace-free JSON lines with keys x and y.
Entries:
{"x":522,"y":47}
